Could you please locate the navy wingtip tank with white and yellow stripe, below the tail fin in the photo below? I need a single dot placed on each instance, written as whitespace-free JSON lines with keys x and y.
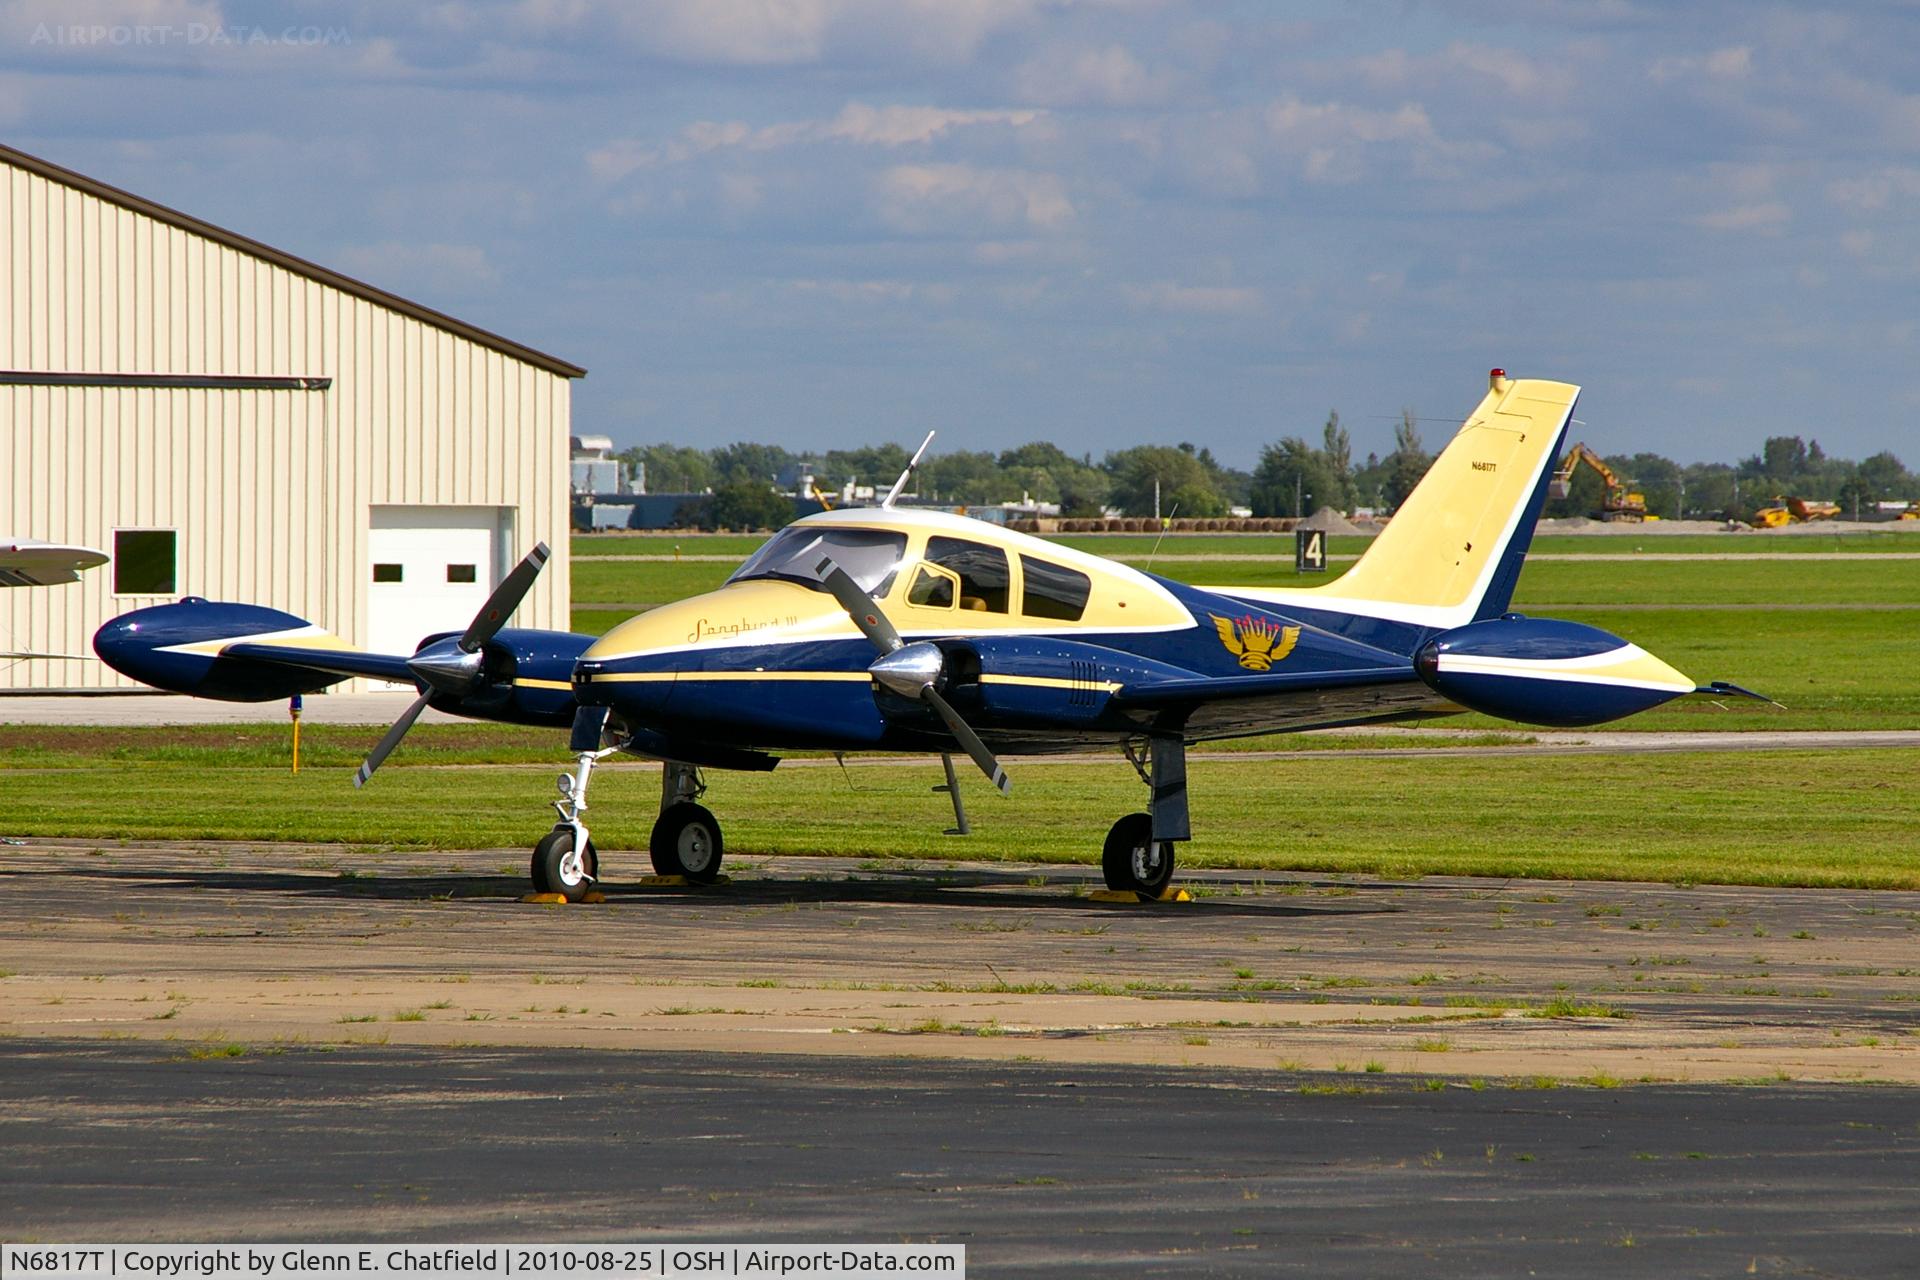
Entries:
{"x":1547,"y":673}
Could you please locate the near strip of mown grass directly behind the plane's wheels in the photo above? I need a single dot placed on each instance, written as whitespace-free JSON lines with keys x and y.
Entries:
{"x":1750,"y":818}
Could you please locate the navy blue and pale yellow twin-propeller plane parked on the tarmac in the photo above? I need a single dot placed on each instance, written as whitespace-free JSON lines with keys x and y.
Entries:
{"x":909,"y":630}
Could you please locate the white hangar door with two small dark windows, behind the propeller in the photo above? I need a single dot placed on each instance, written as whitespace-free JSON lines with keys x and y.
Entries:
{"x":431,"y":569}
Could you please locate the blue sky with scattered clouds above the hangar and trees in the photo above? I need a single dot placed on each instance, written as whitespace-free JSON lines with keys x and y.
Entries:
{"x":1099,"y":224}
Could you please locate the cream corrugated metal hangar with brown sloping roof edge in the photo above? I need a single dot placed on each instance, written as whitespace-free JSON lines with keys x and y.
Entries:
{"x":237,"y":423}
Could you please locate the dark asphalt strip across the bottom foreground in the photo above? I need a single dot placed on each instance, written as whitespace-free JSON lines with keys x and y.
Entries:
{"x":1090,"y":1172}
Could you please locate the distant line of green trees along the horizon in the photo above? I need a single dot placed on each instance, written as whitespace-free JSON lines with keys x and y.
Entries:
{"x":1291,"y":479}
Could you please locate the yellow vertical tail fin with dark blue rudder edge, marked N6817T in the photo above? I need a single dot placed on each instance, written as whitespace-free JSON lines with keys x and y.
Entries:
{"x":1454,"y":550}
